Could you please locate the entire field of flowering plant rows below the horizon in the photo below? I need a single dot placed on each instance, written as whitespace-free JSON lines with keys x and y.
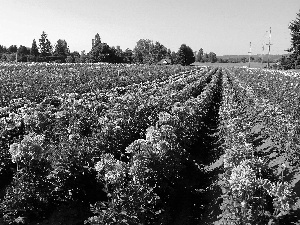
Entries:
{"x":137,"y":144}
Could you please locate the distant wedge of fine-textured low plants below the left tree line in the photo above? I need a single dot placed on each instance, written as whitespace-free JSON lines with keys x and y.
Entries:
{"x":36,"y":81}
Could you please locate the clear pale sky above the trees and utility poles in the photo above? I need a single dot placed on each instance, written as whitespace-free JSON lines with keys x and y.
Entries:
{"x":221,"y":26}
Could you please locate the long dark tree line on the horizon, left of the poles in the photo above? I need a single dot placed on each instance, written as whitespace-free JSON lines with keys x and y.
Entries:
{"x":145,"y":52}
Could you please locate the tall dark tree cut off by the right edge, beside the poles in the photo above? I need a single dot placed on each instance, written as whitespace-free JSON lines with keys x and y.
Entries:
{"x":295,"y":40}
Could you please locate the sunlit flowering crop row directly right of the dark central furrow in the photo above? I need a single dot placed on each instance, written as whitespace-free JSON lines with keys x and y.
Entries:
{"x":256,"y":185}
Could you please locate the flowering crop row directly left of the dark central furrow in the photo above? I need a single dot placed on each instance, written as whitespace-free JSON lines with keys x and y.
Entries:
{"x":143,"y":195}
